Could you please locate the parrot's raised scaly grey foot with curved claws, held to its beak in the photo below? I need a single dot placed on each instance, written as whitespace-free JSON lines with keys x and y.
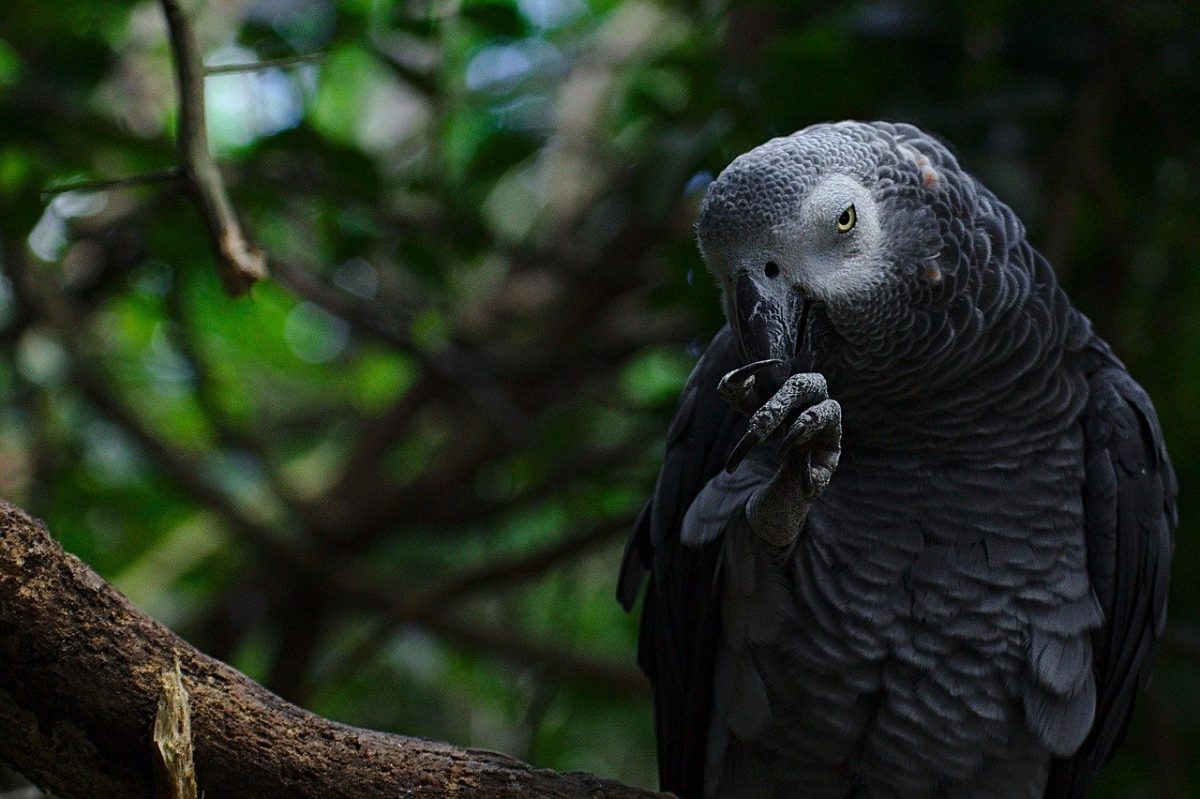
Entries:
{"x":809,"y":452}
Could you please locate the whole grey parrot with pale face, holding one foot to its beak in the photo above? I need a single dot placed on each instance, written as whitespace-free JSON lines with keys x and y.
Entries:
{"x":914,"y":528}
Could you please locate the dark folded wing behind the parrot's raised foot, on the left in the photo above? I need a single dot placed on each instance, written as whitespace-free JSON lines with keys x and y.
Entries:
{"x":680,"y":620}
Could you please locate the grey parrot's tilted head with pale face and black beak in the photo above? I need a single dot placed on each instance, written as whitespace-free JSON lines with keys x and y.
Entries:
{"x":825,"y":239}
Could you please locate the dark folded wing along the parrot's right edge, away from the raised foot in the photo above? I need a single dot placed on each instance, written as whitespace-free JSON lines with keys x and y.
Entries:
{"x":1130,"y":520}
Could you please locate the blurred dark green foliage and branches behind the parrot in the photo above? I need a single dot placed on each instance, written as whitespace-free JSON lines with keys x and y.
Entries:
{"x":393,"y":483}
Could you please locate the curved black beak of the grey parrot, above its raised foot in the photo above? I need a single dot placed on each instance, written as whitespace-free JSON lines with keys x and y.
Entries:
{"x":767,"y":326}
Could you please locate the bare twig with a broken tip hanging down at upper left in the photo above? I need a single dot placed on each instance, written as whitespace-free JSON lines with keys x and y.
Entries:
{"x":241,"y":263}
